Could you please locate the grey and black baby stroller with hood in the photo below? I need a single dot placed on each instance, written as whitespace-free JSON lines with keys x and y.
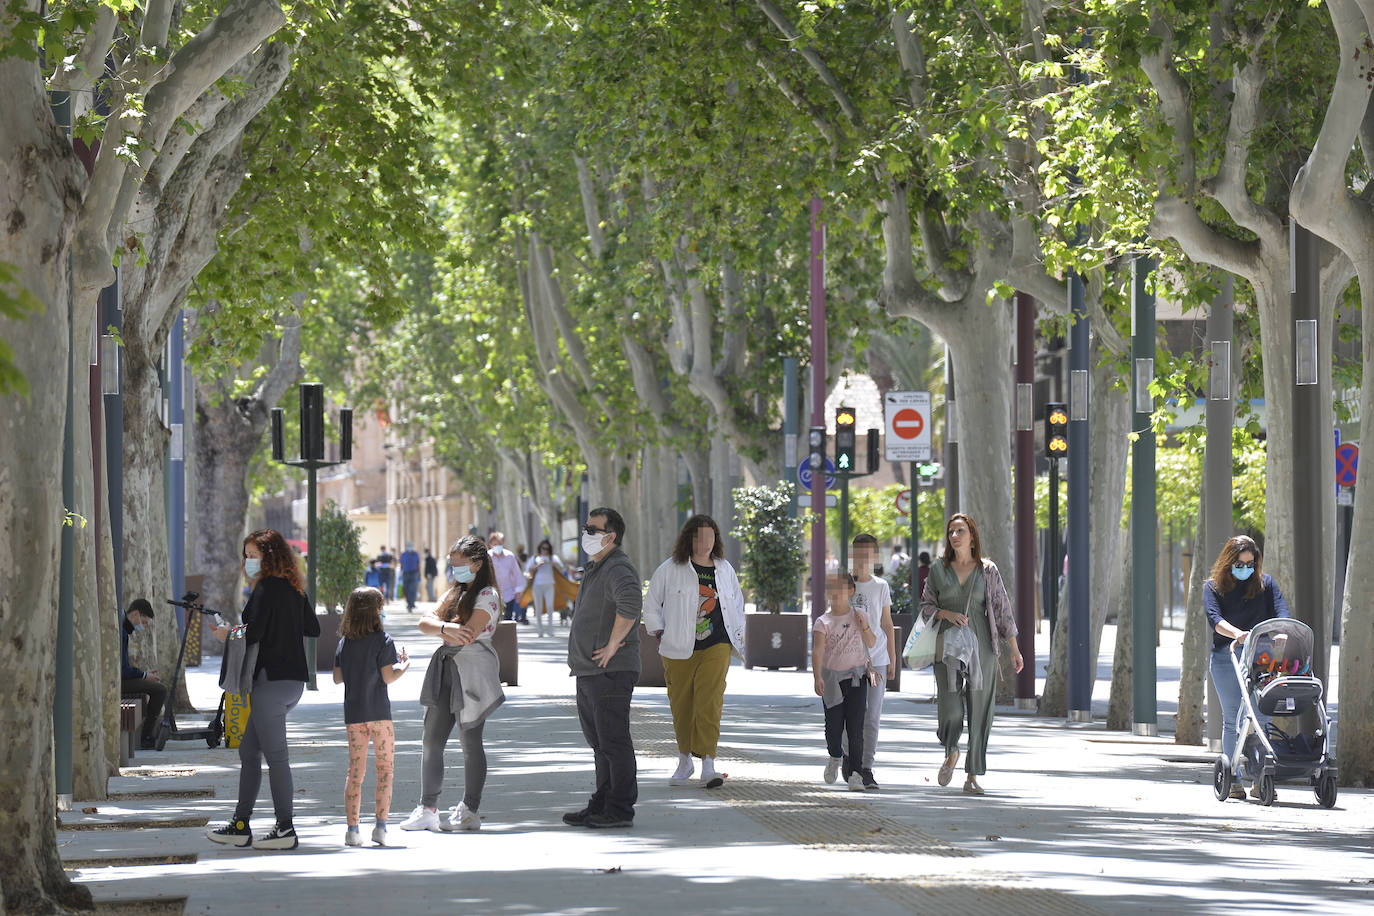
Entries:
{"x":1276,"y":675}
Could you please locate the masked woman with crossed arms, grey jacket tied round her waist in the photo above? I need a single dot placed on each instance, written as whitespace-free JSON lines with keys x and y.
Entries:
{"x":462,"y":686}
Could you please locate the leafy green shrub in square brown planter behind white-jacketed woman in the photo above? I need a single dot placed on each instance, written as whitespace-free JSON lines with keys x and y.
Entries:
{"x":772,"y":565}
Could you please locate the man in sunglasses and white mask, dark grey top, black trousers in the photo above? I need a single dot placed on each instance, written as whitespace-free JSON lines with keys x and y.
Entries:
{"x":604,"y":657}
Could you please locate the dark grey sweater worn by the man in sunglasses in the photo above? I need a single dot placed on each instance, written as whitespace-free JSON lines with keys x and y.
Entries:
{"x":609,"y":590}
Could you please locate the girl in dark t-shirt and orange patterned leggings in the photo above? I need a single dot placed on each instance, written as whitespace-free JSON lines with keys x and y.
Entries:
{"x":365,"y":664}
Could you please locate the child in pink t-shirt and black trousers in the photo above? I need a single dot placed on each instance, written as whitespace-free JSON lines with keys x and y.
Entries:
{"x":840,"y":643}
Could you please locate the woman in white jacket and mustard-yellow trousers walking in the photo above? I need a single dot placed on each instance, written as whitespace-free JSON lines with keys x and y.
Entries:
{"x":697,"y":612}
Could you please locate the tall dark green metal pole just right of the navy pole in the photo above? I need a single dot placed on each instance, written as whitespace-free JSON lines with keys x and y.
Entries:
{"x":1144,"y":509}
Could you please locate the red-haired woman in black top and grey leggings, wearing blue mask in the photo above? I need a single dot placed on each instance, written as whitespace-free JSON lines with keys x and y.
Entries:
{"x":278,"y":617}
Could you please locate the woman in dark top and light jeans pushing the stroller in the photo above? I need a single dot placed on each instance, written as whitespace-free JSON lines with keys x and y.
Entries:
{"x":1237,"y":597}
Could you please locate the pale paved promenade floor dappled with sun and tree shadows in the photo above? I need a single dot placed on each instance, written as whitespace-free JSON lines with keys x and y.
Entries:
{"x":1077,"y":821}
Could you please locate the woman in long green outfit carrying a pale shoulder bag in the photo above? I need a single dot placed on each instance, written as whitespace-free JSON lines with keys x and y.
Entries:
{"x":965,"y":590}
